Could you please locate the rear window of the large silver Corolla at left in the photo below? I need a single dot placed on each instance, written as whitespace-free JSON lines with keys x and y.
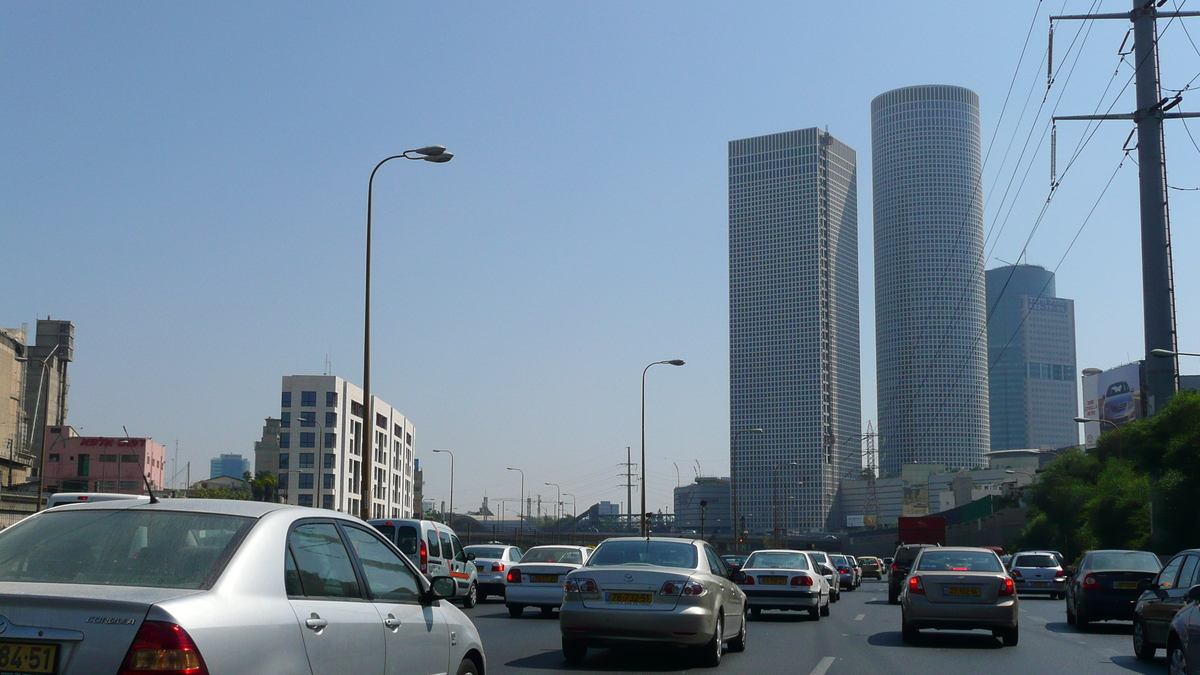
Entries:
{"x":159,"y":549}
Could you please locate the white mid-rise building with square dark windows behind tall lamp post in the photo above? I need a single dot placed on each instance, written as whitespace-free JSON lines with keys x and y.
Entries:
{"x":321,"y":440}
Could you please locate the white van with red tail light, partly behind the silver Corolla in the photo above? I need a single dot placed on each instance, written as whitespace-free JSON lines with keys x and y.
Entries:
{"x":435,"y":549}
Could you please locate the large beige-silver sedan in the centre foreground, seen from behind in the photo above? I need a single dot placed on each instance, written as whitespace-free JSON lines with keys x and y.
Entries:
{"x":653,"y":590}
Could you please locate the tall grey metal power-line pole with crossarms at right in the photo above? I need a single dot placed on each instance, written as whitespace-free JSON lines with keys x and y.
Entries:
{"x":1157,"y":283}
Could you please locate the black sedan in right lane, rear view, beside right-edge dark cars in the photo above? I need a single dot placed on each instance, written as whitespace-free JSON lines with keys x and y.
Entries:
{"x":1106,"y":586}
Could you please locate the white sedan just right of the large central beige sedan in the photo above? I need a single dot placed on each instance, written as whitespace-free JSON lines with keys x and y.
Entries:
{"x":784,"y":580}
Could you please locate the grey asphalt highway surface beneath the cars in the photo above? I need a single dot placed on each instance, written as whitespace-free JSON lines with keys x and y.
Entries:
{"x":861,"y":636}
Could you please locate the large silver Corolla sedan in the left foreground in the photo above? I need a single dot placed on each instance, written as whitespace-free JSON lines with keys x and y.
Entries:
{"x":218,"y":587}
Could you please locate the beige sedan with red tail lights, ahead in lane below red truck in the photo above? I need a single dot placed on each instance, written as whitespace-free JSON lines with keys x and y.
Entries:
{"x":959,"y":589}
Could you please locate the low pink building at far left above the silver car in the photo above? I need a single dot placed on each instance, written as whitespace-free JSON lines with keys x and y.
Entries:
{"x":98,"y":464}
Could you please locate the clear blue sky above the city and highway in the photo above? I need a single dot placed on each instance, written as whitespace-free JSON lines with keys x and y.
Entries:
{"x":188,"y":183}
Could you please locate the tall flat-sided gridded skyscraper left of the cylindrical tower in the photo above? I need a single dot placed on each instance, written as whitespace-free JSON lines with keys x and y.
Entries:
{"x":794,"y":328}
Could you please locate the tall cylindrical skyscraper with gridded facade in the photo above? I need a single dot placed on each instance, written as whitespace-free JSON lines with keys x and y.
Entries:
{"x":929,"y":279}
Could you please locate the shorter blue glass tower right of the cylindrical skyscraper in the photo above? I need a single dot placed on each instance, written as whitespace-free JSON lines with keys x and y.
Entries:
{"x":1031,"y":351}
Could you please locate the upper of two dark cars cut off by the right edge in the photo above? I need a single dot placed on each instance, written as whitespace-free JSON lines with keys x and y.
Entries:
{"x":1161,"y":600}
